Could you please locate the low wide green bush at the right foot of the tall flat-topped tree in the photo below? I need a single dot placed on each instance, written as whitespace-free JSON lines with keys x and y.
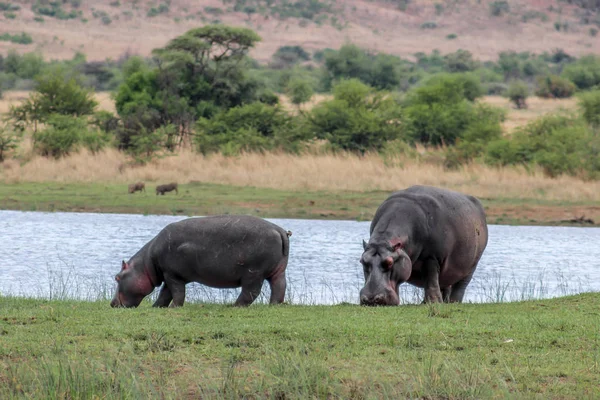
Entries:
{"x":252,"y":127}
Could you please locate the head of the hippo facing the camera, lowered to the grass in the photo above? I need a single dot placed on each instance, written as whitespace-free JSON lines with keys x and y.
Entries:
{"x":385,"y":266}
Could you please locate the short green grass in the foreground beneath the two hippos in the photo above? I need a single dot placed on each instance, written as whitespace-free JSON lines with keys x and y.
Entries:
{"x":68,"y":349}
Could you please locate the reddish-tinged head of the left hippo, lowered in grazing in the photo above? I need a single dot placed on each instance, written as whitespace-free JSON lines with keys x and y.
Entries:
{"x":133,"y":284}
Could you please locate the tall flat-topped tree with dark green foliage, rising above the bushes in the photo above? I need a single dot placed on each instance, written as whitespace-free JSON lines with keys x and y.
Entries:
{"x":197,"y":74}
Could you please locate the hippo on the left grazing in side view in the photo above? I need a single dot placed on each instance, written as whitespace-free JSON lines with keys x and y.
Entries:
{"x":225,"y":251}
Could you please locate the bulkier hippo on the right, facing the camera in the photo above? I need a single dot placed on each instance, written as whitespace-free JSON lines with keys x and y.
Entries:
{"x":429,"y":237}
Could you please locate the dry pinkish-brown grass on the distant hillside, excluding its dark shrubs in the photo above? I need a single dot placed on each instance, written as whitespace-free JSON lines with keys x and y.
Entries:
{"x":376,"y":25}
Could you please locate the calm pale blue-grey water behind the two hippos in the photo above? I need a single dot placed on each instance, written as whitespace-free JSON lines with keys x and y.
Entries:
{"x":62,"y":255}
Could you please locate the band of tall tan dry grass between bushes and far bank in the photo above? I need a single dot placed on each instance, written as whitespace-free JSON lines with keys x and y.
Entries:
{"x":306,"y":172}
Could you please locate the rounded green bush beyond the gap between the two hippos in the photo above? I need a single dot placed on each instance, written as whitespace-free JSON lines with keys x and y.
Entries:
{"x":357,"y":119}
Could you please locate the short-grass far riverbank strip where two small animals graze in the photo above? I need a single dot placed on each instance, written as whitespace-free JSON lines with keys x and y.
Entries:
{"x":208,"y":199}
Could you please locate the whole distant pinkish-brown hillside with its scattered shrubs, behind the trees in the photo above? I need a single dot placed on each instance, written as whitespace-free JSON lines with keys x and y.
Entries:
{"x":108,"y":28}
